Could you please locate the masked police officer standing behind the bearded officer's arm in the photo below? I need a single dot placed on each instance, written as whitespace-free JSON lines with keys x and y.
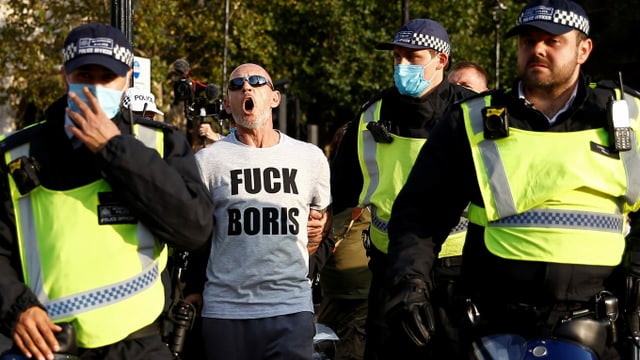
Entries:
{"x":377,"y":153}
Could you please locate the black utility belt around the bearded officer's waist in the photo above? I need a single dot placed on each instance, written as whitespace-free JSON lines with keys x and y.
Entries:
{"x":591,"y":323}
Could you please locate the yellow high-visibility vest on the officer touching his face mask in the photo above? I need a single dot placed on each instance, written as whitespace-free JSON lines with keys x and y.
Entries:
{"x":105,"y":279}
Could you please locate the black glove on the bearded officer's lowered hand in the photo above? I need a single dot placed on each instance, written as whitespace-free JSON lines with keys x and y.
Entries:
{"x":409,"y":307}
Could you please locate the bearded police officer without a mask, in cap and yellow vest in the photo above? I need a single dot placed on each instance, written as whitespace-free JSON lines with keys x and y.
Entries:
{"x":549,"y":180}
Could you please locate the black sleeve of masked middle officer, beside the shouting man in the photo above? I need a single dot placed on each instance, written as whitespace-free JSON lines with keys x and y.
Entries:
{"x":346,"y":176}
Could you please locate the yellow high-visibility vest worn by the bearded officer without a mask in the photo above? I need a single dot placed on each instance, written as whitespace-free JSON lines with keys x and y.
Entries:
{"x":553,"y":197}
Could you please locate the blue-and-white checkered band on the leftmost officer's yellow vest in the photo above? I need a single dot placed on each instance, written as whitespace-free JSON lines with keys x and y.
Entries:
{"x":102,"y":297}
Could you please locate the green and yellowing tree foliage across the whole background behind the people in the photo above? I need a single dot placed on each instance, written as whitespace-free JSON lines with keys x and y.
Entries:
{"x":320,"y":52}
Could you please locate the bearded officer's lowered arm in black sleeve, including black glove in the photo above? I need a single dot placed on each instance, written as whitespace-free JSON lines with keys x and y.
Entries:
{"x":425,"y":210}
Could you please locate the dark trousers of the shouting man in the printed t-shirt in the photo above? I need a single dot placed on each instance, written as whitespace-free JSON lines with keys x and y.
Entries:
{"x":281,"y":337}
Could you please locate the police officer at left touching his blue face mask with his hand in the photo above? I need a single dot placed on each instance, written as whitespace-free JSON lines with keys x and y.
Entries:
{"x":89,"y":201}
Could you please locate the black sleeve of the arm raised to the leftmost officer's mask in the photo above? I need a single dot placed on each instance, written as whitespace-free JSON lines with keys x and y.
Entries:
{"x":166,"y":193}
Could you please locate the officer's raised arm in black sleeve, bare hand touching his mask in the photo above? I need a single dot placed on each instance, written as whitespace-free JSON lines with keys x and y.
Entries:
{"x":165,"y":193}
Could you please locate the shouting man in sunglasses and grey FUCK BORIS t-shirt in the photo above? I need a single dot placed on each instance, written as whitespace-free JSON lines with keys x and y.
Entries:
{"x":264,"y":184}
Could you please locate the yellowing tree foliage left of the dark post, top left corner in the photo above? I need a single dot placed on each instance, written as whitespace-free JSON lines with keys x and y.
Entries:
{"x":31,"y":44}
